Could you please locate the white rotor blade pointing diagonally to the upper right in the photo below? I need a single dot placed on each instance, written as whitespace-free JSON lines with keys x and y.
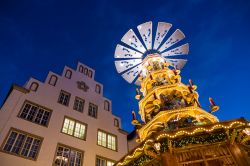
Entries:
{"x":177,"y":36}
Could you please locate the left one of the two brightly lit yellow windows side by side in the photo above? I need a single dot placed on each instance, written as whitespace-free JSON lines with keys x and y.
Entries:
{"x":74,"y":128}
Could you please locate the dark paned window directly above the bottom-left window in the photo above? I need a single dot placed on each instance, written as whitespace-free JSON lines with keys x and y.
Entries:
{"x":34,"y":113}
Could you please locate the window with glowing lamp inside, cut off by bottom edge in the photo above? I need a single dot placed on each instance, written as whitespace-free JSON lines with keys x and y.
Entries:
{"x":67,"y":156}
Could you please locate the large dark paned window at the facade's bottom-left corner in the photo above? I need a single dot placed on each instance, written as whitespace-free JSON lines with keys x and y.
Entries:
{"x":22,"y":144}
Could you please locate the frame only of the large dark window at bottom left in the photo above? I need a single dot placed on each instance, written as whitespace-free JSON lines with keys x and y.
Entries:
{"x":27,"y":134}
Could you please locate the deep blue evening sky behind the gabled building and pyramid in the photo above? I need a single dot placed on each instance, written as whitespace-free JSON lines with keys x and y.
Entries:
{"x":41,"y":35}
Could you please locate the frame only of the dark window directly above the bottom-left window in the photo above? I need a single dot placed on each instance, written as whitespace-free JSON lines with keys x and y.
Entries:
{"x":38,"y":106}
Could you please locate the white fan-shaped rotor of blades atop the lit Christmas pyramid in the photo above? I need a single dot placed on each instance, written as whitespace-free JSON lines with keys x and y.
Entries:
{"x":131,"y":51}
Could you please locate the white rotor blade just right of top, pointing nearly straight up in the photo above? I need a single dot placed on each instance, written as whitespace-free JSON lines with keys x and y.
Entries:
{"x":162,"y":30}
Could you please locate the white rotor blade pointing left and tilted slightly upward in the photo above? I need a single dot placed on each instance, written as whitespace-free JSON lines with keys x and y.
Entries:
{"x":124,"y":52}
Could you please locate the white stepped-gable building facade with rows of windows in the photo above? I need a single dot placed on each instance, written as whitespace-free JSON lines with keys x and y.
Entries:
{"x":62,"y":121}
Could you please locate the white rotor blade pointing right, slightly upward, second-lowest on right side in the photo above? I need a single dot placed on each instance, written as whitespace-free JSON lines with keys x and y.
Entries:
{"x":181,"y":50}
